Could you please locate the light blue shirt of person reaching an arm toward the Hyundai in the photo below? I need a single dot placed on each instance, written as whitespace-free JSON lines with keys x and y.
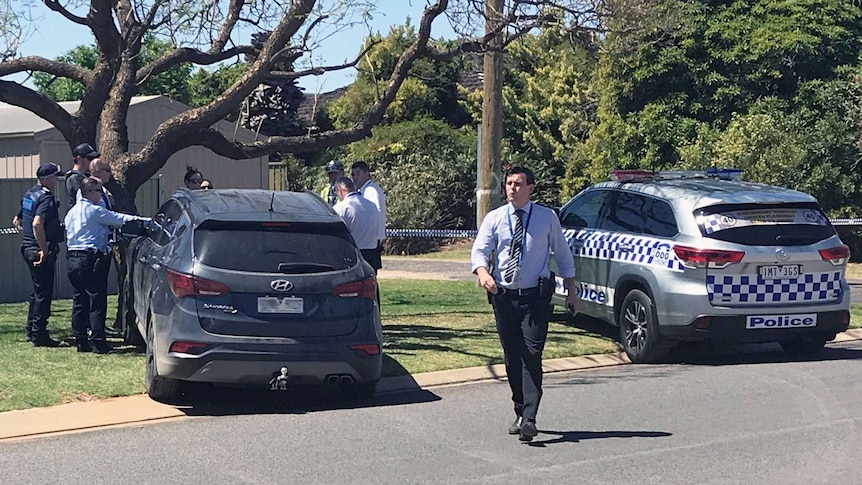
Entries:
{"x":89,"y":226}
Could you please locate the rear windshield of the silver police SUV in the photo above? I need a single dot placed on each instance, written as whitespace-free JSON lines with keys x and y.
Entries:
{"x":795,"y":224}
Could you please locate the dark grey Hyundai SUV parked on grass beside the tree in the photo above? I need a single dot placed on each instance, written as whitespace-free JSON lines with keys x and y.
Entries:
{"x":255,"y":288}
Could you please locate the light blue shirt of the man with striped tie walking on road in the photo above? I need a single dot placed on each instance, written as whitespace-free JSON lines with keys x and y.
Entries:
{"x":543,"y":236}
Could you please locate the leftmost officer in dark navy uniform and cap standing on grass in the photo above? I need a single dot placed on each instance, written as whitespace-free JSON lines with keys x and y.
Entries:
{"x":40,"y":221}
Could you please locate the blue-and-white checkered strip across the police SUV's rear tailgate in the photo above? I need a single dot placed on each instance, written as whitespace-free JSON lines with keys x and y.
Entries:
{"x":753,"y":290}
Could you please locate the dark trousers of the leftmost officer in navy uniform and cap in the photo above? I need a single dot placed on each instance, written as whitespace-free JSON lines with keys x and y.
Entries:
{"x":43,"y":291}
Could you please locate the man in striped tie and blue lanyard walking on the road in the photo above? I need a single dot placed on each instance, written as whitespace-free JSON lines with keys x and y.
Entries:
{"x":510,"y":258}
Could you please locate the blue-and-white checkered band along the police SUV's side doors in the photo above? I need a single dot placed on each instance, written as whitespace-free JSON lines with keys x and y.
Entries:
{"x":606,"y":245}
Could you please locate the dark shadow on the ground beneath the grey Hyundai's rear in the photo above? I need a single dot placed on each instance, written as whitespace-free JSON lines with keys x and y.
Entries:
{"x":211,"y":400}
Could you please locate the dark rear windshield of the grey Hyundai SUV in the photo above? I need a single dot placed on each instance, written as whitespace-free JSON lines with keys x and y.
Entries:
{"x":267,"y":247}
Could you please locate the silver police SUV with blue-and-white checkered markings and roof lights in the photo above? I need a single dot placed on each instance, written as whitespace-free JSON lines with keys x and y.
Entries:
{"x":702,"y":256}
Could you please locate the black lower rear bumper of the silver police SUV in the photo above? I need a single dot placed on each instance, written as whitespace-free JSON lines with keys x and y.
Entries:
{"x":733,"y":329}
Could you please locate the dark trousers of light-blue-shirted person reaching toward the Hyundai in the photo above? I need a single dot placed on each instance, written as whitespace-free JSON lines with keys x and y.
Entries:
{"x":88,"y":273}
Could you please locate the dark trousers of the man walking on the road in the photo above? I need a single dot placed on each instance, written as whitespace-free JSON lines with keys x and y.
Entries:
{"x":522,"y":324}
